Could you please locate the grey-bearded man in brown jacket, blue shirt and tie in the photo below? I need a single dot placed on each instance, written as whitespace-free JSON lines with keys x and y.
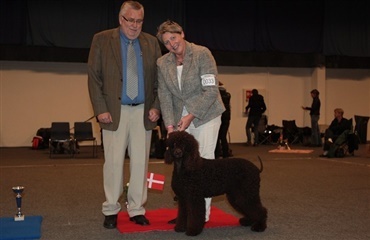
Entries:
{"x":127,"y":120}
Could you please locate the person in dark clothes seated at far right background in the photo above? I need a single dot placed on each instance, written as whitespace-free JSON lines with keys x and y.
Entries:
{"x":336,"y":128}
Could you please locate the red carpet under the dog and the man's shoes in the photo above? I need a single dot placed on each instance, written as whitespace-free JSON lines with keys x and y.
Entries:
{"x":159,"y":218}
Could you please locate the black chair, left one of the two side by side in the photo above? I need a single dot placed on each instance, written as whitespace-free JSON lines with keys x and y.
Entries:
{"x":60,"y":141}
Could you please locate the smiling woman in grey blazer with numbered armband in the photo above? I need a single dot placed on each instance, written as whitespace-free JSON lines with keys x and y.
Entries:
{"x":188,"y":90}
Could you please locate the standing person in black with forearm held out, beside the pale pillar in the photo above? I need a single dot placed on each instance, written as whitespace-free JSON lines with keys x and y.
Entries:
{"x":315,"y":116}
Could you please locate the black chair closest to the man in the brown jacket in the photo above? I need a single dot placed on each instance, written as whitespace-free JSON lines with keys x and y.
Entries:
{"x":83,"y":132}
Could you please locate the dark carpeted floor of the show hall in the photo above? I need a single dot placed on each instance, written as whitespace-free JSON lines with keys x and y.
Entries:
{"x":308,"y":197}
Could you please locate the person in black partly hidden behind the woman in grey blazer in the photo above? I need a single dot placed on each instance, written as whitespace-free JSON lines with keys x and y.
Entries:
{"x":222,"y":147}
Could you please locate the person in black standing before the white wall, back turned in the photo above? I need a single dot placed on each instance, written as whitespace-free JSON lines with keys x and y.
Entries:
{"x":256,"y":107}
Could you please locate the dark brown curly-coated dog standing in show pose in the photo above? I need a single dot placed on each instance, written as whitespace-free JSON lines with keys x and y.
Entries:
{"x":195,"y":178}
